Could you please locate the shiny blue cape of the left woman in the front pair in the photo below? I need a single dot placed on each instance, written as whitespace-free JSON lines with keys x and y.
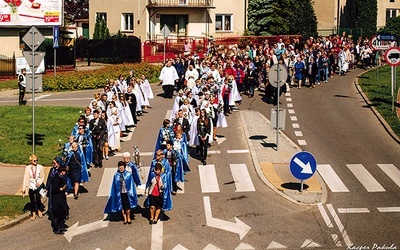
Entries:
{"x":114,"y":203}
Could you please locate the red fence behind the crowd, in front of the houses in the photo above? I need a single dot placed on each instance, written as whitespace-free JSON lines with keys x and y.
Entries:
{"x":153,"y":50}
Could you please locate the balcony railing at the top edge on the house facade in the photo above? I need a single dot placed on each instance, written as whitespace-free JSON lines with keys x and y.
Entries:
{"x":180,"y":4}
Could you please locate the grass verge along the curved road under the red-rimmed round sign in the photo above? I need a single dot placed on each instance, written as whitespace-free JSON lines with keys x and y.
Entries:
{"x":377,"y":87}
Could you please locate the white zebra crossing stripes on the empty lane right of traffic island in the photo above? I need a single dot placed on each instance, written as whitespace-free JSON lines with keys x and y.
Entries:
{"x":367,"y":180}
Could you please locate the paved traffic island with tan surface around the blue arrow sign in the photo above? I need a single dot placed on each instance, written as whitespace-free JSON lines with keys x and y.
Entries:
{"x":272,"y":166}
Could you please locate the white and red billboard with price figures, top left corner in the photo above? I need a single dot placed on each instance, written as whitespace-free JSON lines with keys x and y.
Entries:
{"x":30,"y":12}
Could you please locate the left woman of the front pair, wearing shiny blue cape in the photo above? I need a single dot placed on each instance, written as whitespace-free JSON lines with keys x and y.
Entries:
{"x":123,"y":195}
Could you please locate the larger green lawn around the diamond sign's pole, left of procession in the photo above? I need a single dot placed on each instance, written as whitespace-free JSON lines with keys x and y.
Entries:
{"x":53,"y":123}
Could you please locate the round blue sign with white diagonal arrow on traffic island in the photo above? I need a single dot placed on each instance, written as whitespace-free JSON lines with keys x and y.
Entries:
{"x":303,"y":165}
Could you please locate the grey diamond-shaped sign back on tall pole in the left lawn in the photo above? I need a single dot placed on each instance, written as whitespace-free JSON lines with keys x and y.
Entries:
{"x":33,"y":38}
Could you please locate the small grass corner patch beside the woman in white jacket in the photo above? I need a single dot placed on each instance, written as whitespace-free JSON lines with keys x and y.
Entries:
{"x":12,"y":205}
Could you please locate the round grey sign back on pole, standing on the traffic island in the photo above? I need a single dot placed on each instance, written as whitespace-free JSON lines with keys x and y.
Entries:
{"x":277,"y":77}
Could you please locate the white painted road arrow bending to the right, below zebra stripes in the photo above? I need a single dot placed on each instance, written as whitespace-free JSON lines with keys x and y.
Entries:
{"x":238,"y":226}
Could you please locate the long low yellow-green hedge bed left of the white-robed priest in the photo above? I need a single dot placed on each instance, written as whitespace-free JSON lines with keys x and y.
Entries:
{"x":93,"y":79}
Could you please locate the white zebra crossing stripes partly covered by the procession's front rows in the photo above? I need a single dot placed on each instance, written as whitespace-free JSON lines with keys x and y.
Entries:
{"x":207,"y":174}
